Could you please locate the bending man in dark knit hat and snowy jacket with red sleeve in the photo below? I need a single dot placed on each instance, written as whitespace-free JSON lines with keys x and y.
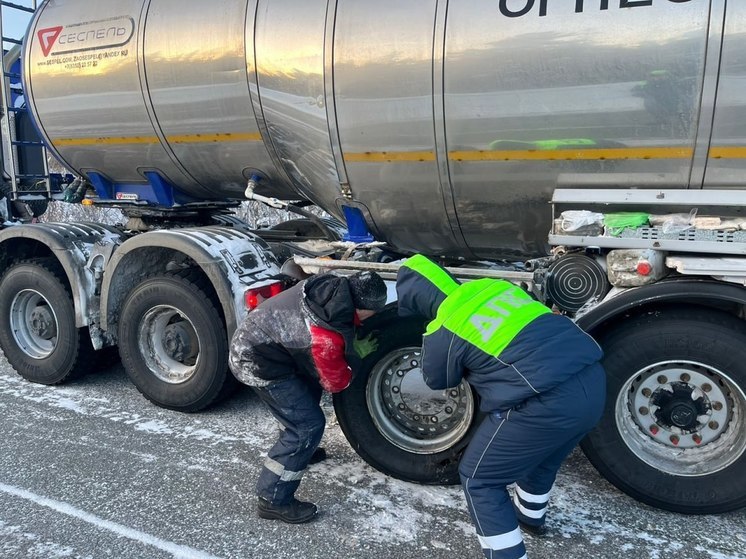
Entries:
{"x":289,"y":349}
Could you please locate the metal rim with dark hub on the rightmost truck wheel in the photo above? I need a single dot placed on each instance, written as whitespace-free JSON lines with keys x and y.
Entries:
{"x":683,"y":418}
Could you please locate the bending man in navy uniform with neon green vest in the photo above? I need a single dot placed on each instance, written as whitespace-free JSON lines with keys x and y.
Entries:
{"x":539,"y":382}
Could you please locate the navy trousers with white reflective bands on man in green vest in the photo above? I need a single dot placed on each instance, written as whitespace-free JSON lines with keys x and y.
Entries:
{"x":526,"y":446}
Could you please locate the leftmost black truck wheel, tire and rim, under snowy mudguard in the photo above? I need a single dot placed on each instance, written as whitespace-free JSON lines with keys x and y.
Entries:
{"x":37,"y":324}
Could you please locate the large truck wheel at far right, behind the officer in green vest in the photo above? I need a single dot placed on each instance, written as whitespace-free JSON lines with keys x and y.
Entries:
{"x":673,"y":434}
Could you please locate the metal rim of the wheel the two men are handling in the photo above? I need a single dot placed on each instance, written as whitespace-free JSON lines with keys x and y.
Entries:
{"x":410,"y":415}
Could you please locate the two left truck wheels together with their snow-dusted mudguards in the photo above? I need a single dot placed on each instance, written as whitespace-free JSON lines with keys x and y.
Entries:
{"x":168,"y":299}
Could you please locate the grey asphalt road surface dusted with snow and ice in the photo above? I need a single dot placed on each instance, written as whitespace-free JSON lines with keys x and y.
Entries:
{"x":92,"y":470}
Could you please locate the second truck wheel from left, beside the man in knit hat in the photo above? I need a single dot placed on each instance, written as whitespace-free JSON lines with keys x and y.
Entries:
{"x":173,"y":343}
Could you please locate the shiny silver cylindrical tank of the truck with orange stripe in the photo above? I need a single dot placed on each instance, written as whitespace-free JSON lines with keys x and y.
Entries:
{"x":450,"y":123}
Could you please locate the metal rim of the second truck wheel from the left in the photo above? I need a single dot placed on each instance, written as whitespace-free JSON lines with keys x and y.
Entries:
{"x":169,"y":344}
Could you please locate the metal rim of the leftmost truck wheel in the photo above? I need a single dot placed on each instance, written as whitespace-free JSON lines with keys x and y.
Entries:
{"x":34,"y":324}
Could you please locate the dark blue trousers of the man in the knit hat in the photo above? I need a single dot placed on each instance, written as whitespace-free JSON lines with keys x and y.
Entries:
{"x":294,"y":402}
